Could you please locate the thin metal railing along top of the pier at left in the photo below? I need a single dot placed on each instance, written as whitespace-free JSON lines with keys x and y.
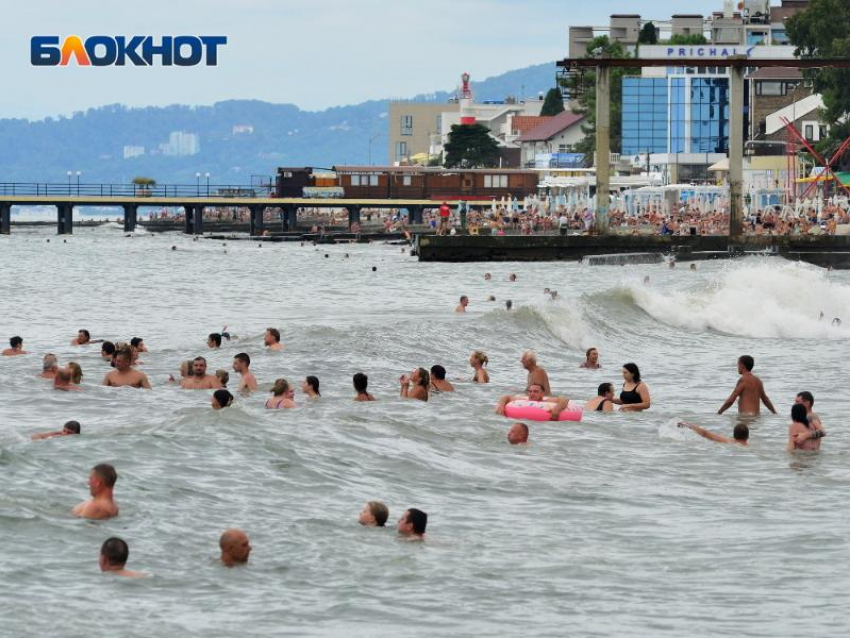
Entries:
{"x":159,"y":191}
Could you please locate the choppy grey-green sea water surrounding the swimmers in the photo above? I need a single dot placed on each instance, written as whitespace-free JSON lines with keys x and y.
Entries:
{"x":622,"y":525}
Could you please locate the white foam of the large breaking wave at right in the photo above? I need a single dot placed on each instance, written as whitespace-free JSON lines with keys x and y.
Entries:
{"x":761,"y":301}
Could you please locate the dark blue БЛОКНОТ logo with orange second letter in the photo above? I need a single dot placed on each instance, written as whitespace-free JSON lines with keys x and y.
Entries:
{"x":137,"y":50}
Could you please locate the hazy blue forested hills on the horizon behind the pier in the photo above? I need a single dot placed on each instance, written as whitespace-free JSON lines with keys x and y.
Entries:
{"x":271,"y":135}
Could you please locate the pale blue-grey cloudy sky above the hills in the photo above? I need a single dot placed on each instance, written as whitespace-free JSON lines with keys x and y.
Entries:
{"x":312,"y":53}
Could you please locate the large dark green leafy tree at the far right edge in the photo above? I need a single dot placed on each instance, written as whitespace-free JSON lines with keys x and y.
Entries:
{"x":823,"y":31}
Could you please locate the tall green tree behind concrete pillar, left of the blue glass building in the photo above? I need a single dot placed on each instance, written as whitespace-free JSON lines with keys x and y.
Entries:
{"x":585,"y":87}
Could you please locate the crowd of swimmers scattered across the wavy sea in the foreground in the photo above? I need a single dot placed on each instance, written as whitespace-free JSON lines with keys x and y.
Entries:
{"x":804,"y":433}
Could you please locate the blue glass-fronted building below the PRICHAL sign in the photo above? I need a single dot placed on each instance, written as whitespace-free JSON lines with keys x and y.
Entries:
{"x":679,"y":113}
